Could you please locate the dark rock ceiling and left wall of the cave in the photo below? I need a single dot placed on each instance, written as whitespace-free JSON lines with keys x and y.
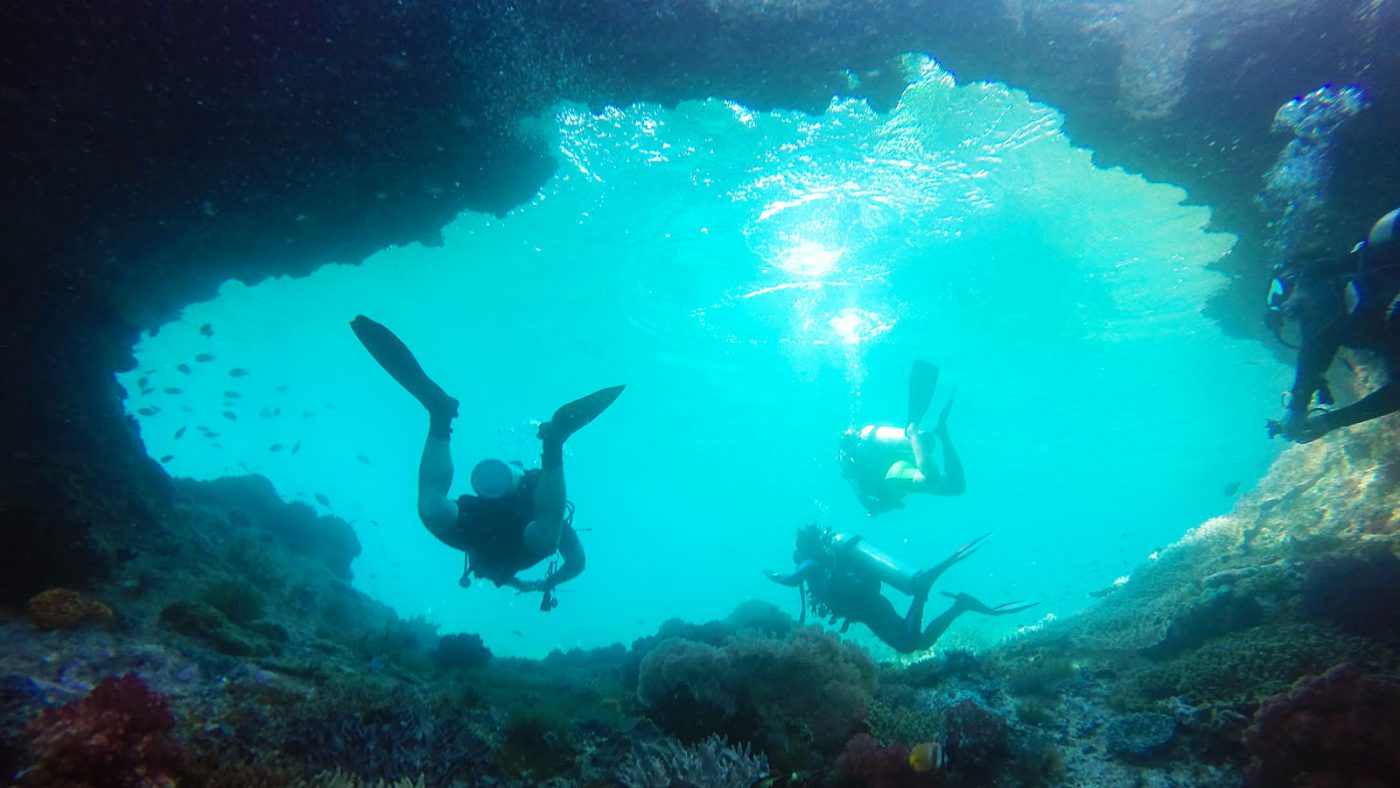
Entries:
{"x":155,"y":150}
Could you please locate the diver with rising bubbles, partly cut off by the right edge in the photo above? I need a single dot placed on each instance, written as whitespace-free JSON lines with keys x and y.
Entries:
{"x":1354,"y":303}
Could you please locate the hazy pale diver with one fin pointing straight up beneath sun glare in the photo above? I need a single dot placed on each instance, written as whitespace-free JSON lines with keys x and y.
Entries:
{"x":885,"y":464}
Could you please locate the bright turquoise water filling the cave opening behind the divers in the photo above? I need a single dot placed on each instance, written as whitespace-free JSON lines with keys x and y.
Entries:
{"x":759,"y":282}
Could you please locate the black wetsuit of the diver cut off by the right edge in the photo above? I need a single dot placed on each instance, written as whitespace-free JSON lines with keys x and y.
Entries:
{"x":1328,"y":325}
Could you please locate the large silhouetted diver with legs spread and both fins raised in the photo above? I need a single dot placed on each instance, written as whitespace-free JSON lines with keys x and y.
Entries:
{"x":519,"y":517}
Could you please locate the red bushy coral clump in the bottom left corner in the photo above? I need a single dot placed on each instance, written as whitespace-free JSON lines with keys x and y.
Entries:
{"x":120,"y":736}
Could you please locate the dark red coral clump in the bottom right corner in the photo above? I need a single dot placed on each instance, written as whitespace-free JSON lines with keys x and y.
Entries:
{"x":1332,"y":731}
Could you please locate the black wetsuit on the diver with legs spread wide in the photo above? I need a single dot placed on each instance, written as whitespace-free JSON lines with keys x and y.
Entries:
{"x":492,"y":534}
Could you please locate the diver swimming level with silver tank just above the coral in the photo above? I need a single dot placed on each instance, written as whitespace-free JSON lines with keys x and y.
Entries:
{"x":842,"y":575}
